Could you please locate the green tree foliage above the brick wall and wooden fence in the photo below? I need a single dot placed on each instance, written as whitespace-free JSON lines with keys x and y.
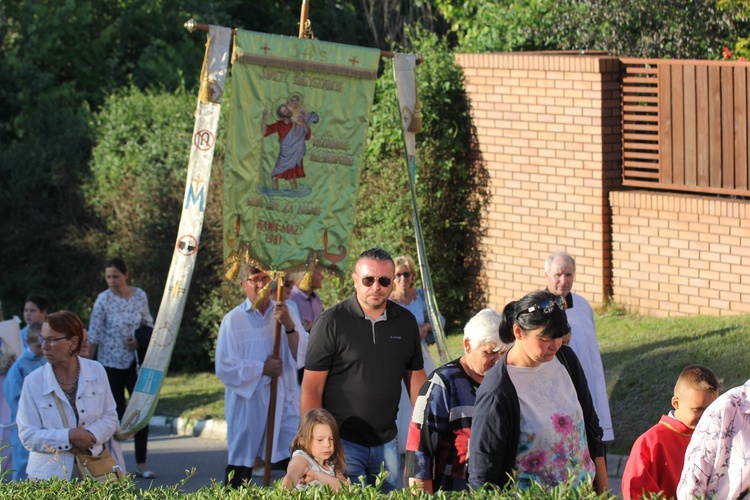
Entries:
{"x":637,"y":28}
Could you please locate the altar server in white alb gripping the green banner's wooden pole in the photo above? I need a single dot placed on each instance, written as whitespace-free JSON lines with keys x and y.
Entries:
{"x":245,"y":364}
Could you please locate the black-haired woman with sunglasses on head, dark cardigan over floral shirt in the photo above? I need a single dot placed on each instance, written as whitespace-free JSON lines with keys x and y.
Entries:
{"x":534,"y":418}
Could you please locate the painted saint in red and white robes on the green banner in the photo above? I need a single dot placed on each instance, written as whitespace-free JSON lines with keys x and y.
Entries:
{"x":293,"y":132}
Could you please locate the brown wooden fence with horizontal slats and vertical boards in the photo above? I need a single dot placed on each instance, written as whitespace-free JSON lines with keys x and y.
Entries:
{"x":685,"y":125}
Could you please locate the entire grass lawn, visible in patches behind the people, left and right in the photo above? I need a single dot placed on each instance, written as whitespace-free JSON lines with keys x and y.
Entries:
{"x":642,"y":358}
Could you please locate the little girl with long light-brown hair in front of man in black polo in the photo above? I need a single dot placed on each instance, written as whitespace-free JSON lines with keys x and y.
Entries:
{"x":317,"y":454}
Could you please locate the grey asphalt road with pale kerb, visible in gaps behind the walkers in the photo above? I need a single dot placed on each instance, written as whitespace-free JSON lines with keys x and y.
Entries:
{"x":171,"y":455}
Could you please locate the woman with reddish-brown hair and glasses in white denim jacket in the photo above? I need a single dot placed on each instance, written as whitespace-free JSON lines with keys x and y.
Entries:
{"x":75,"y":385}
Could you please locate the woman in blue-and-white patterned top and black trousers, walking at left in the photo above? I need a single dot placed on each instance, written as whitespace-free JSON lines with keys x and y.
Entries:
{"x":118,"y":312}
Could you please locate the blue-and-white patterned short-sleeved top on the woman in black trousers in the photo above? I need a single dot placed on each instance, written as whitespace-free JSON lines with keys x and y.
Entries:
{"x":113,"y":320}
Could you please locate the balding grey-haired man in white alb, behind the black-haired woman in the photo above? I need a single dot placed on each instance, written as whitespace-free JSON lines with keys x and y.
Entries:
{"x":560,"y":271}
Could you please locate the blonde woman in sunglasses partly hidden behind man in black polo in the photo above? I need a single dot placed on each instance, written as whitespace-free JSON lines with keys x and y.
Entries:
{"x":407,"y":295}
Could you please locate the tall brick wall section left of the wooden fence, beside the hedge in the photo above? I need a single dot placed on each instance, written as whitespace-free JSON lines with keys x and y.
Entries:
{"x":549,"y":132}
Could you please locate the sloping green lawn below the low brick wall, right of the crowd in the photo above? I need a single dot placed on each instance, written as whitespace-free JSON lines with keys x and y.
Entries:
{"x":643,"y":356}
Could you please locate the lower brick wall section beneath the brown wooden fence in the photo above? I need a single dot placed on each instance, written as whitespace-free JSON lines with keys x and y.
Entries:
{"x":677,"y":255}
